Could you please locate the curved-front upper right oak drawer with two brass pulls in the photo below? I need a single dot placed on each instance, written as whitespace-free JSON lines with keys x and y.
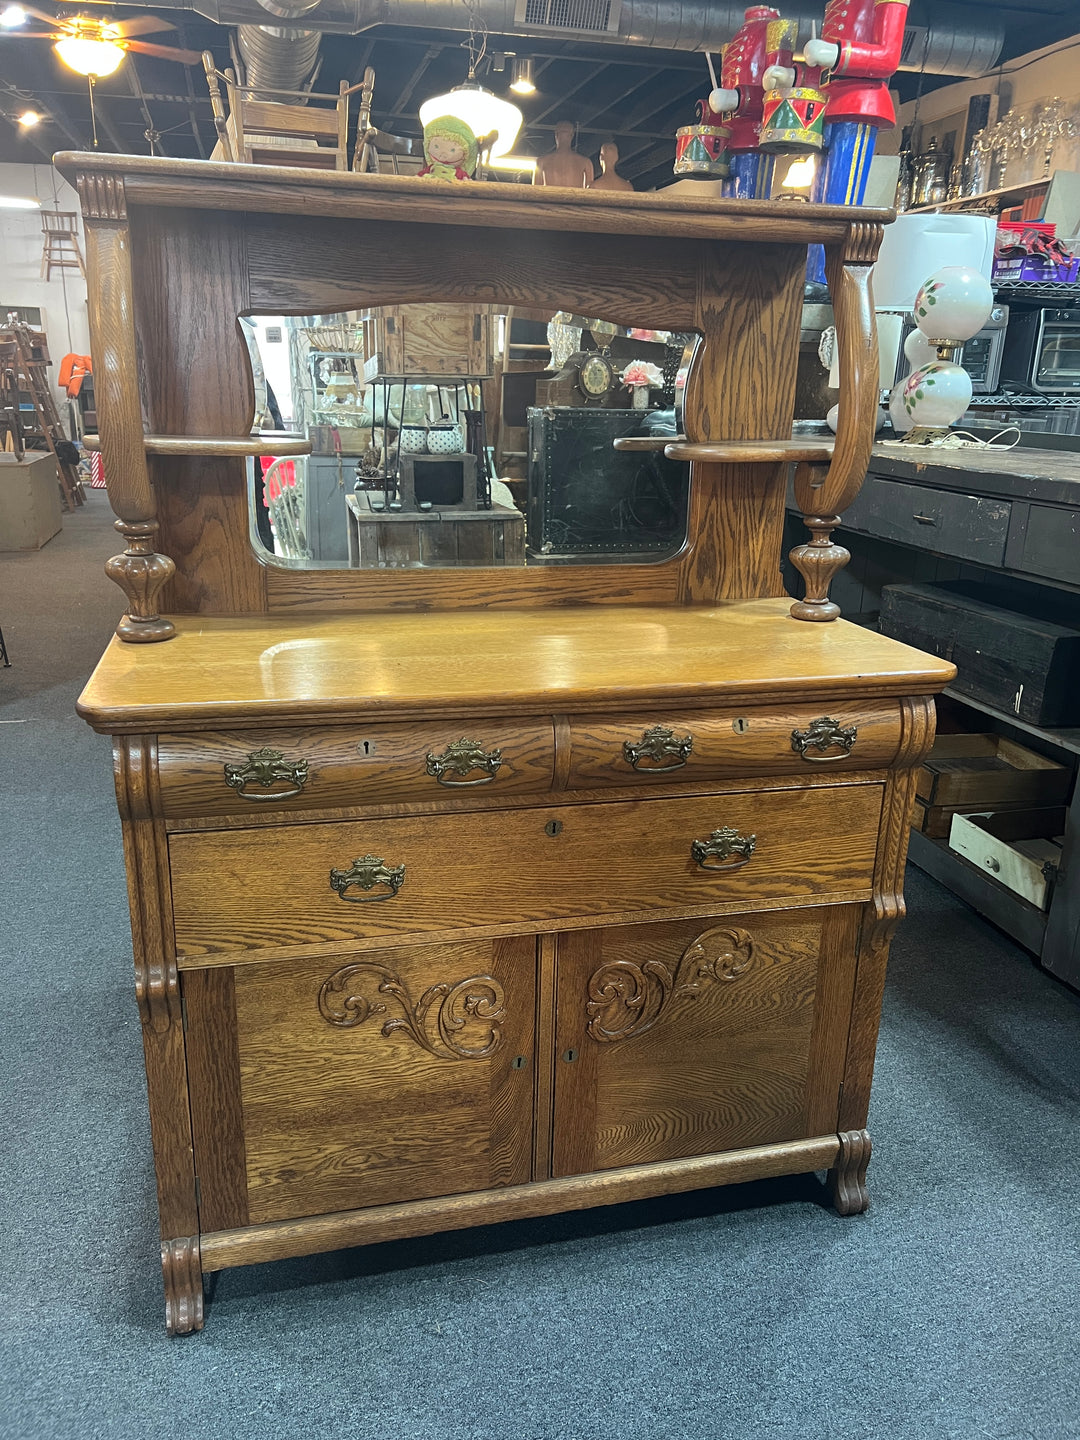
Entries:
{"x":709,"y":744}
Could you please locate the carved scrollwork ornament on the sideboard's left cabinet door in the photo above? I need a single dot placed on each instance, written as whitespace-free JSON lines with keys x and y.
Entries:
{"x":460,"y":1022}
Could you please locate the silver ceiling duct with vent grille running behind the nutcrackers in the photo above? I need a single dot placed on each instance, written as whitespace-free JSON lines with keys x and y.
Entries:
{"x":957,"y":41}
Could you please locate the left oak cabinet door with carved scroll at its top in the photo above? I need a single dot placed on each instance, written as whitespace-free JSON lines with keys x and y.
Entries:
{"x":333,"y":1084}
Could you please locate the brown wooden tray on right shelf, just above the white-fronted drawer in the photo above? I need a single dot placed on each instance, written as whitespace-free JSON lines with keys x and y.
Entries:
{"x":989,"y":771}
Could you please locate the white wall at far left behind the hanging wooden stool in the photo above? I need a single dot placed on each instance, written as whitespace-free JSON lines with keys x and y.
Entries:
{"x":64,"y":297}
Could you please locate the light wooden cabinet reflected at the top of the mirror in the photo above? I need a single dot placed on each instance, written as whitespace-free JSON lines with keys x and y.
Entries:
{"x":430,"y":342}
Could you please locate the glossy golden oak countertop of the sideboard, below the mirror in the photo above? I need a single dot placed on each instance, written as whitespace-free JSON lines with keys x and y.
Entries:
{"x":228,"y":670}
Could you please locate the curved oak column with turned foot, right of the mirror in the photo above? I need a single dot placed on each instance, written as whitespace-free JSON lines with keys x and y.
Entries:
{"x":820,"y":495}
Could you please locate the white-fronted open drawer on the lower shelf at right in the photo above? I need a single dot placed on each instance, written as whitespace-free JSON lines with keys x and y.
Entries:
{"x":1022,"y":849}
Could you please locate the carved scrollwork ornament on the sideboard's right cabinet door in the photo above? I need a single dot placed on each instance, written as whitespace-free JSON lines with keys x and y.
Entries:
{"x":627,"y":1000}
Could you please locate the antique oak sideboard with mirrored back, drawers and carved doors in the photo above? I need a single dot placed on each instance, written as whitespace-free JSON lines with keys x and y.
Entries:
{"x":476,"y":895}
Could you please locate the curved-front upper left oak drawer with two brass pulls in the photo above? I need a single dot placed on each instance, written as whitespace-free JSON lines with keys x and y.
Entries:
{"x":222,"y":773}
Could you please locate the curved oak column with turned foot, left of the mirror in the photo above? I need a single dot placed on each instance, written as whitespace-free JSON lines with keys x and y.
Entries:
{"x":140,"y":571}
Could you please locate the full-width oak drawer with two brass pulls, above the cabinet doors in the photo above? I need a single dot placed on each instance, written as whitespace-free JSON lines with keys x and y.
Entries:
{"x":290,"y":886}
